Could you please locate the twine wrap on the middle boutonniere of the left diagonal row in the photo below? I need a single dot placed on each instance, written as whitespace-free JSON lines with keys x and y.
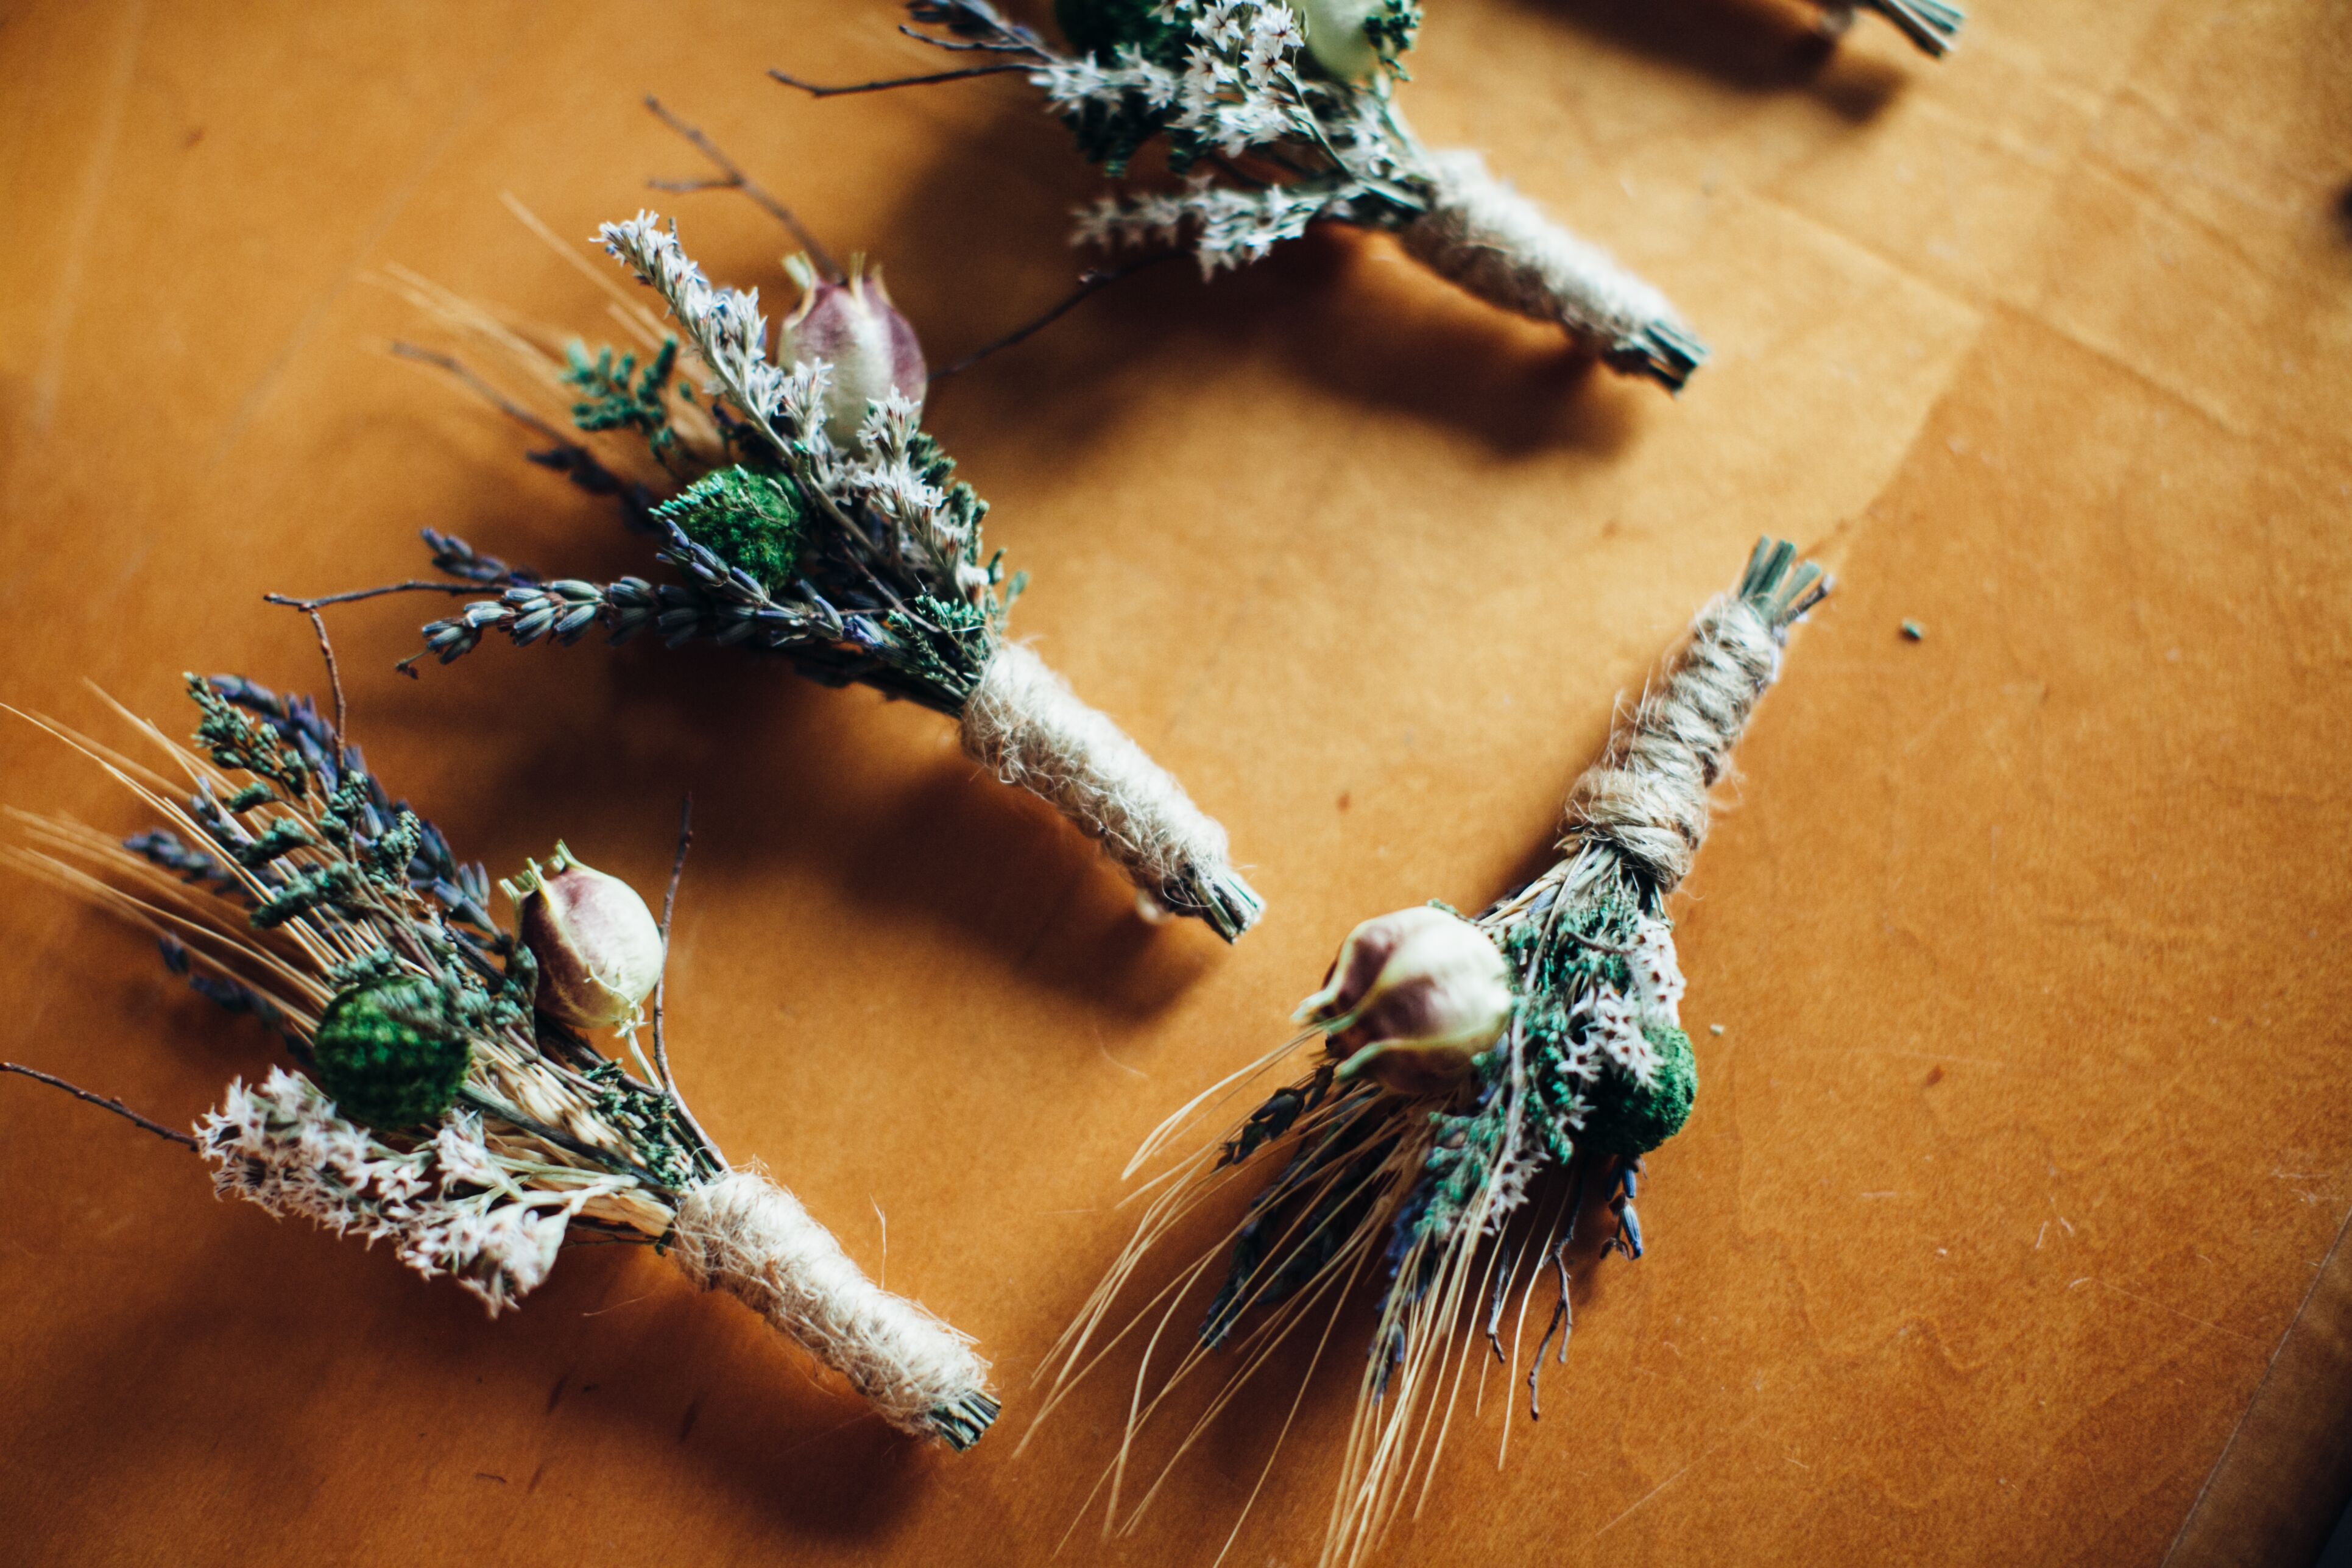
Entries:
{"x":1027,"y":728}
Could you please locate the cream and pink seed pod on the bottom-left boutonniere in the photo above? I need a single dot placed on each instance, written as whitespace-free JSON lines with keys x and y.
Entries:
{"x":596,"y":944}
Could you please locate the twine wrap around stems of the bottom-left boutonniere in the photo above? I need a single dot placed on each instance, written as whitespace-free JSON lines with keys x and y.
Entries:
{"x":747,"y":1235}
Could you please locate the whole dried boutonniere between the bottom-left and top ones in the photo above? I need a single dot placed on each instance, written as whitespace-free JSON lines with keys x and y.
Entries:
{"x":808,"y":514}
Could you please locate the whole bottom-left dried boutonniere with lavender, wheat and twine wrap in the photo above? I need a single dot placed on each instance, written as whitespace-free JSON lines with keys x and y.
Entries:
{"x":443,"y":1097}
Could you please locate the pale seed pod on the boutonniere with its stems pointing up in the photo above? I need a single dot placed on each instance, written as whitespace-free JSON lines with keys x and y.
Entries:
{"x":1415,"y":998}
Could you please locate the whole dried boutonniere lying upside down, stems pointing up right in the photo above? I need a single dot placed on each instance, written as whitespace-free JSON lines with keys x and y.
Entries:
{"x":1474,"y":1071}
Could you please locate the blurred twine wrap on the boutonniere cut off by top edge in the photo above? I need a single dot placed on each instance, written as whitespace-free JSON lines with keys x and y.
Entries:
{"x":1502,"y":248}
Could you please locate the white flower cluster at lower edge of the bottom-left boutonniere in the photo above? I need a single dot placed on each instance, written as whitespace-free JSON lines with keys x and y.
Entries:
{"x":448,"y":1207}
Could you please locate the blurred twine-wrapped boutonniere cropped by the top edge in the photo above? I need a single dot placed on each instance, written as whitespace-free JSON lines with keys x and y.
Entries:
{"x":1281,"y":116}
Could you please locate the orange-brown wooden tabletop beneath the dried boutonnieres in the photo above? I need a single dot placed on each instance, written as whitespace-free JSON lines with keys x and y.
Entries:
{"x":2024,"y":1141}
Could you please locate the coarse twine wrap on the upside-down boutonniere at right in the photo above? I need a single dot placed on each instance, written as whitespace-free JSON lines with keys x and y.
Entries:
{"x":1650,"y":796}
